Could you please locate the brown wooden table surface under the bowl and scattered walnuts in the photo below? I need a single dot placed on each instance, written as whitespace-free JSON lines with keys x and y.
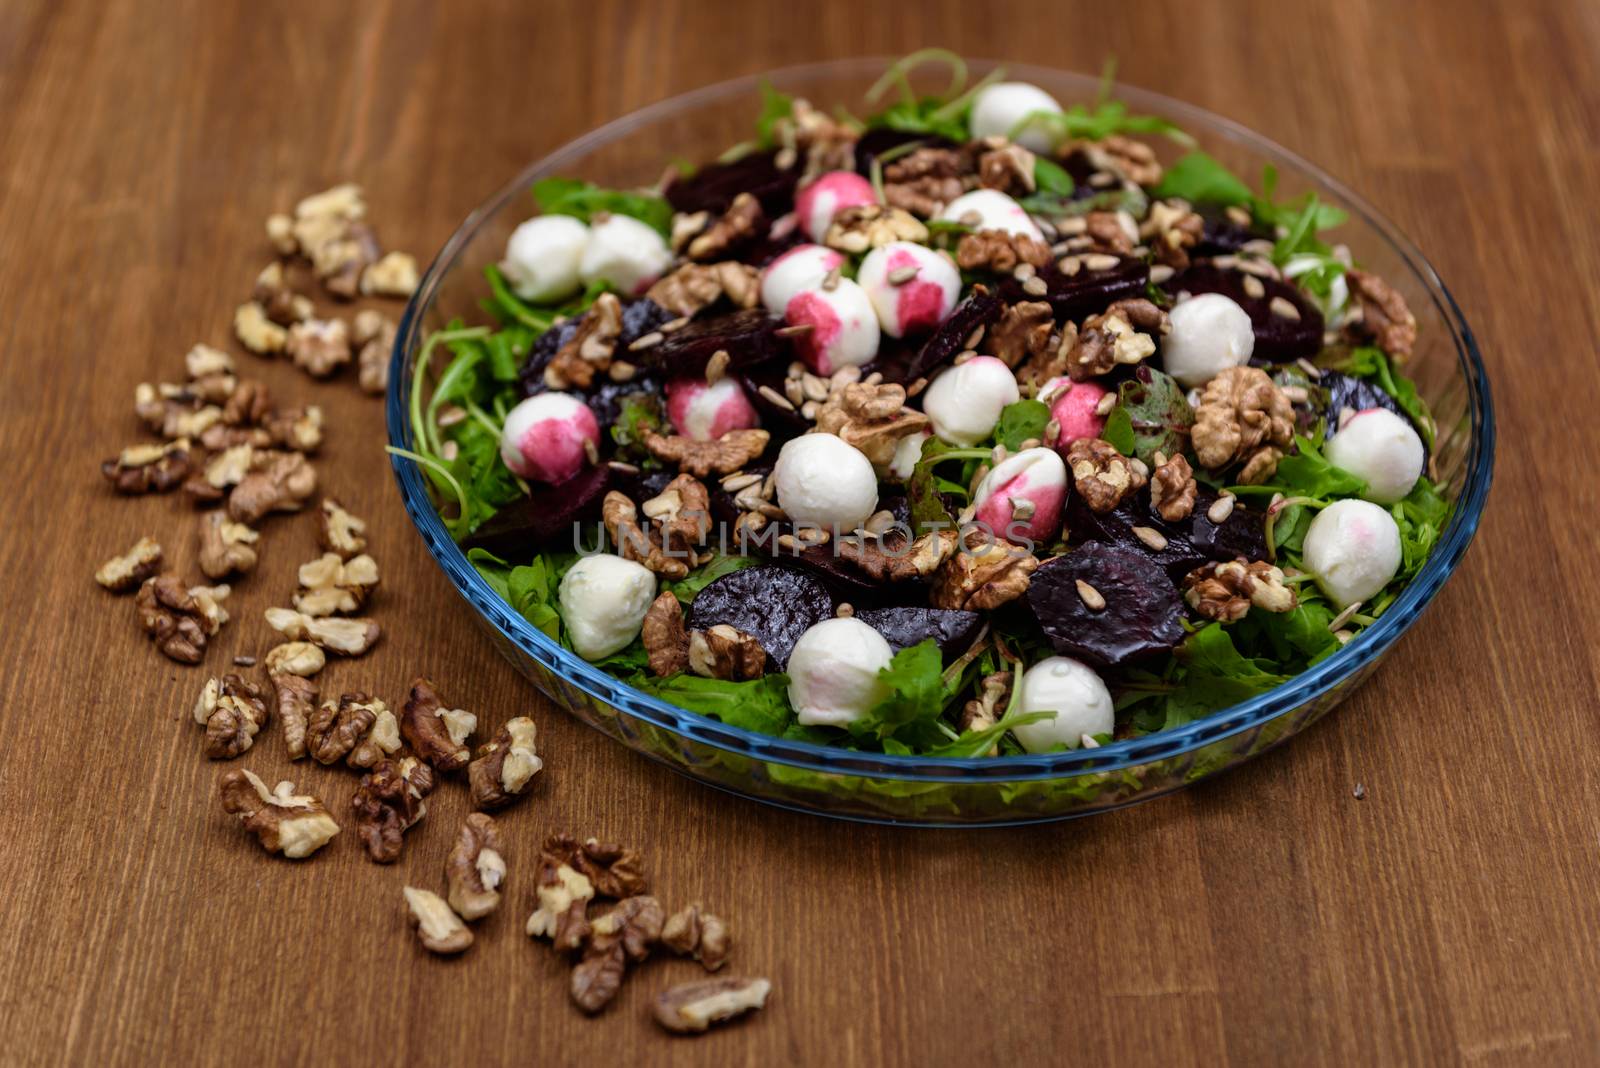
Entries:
{"x":1268,"y":917}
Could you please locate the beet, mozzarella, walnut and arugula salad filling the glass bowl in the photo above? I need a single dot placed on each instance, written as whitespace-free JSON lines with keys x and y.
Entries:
{"x":978,"y":428}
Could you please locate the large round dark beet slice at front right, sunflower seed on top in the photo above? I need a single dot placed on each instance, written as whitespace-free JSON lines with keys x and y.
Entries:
{"x":1143,"y":613}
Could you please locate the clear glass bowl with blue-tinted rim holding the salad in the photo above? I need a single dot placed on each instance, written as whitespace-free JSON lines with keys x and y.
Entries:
{"x":700,"y":126}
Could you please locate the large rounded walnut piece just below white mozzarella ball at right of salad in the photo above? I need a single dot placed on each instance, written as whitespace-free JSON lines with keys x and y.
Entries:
{"x":1244,"y":418}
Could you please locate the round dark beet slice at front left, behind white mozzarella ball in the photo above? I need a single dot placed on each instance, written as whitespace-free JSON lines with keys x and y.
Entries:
{"x":772,"y":602}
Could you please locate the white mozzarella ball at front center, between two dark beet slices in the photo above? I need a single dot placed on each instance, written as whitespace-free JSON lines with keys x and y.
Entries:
{"x":834,"y":672}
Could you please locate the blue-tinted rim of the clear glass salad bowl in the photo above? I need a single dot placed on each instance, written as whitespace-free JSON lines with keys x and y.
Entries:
{"x":1114,"y":757}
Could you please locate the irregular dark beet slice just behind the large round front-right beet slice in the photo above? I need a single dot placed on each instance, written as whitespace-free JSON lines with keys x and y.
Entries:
{"x":1191,"y":541}
